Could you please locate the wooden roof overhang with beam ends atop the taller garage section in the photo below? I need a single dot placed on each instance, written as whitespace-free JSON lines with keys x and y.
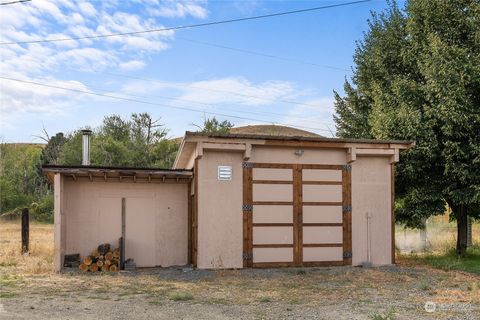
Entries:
{"x":196,"y":142}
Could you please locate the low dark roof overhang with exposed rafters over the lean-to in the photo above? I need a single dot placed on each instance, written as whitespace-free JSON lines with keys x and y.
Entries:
{"x":118,"y":174}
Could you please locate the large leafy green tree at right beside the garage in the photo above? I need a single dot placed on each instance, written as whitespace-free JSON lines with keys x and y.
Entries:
{"x":417,"y":77}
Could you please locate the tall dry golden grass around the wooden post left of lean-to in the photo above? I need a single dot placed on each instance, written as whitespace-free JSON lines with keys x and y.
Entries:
{"x":40,"y":258}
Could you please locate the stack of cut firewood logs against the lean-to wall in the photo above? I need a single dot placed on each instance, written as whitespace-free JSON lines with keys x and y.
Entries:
{"x":102,"y":259}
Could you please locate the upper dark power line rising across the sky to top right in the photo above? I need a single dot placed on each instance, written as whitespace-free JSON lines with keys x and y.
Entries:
{"x":206,"y":24}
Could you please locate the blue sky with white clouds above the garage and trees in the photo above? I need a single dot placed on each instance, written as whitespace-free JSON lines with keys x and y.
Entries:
{"x":177,"y":69}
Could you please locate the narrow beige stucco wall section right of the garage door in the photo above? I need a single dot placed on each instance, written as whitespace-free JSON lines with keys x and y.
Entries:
{"x":371,"y":195}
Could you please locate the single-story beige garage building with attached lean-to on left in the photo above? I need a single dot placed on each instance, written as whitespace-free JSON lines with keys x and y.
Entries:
{"x":236,"y":201}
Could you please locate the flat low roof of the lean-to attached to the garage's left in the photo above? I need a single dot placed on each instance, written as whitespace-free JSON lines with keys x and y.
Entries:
{"x":116,"y":172}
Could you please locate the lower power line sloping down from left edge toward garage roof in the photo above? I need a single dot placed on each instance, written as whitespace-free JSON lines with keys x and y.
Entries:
{"x":154,"y":103}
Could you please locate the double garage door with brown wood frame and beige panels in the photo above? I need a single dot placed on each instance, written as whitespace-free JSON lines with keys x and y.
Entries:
{"x":296,"y":215}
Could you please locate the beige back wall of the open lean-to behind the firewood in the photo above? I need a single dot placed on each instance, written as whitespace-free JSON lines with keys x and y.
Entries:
{"x":156,"y":219}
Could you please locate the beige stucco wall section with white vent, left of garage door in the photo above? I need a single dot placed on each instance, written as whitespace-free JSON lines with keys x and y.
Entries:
{"x":220,"y":221}
